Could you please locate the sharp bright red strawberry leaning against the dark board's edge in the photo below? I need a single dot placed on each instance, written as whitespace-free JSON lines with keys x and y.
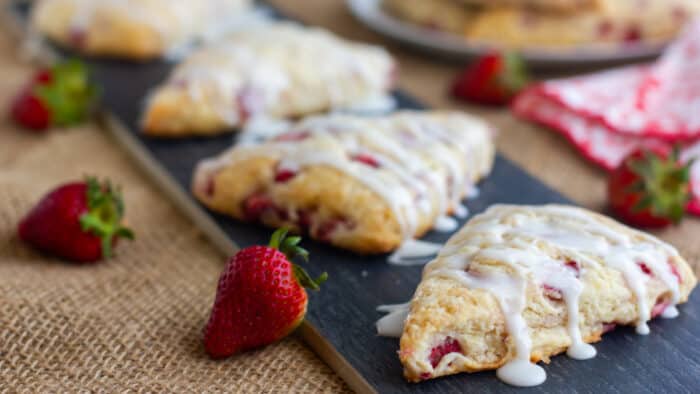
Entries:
{"x":260,"y":297}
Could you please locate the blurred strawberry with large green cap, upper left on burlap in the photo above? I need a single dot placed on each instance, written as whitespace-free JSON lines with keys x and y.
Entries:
{"x":58,"y":96}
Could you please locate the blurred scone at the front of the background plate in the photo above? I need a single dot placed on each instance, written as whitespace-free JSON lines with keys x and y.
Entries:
{"x":609,"y":22}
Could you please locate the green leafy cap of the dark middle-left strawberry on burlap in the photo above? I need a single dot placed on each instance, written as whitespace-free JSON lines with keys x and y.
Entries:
{"x":104,"y":215}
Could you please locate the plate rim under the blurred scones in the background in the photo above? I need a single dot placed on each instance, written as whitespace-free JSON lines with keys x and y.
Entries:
{"x":452,"y":46}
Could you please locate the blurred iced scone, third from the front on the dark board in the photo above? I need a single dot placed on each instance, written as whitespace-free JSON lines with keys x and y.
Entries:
{"x":279,"y":70}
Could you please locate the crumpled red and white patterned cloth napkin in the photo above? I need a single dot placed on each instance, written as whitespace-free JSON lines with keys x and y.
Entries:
{"x":608,"y":115}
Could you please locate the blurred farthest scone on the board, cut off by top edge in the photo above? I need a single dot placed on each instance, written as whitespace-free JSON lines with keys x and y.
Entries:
{"x":134,"y":29}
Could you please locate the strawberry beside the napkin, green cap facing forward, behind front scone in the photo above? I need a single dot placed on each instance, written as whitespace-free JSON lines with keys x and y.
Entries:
{"x":650,"y":188}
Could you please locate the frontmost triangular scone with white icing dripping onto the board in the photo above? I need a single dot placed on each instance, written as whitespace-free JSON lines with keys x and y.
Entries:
{"x":501,"y":291}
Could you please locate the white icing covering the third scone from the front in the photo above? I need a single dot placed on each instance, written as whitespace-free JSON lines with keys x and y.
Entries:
{"x":268,"y":65}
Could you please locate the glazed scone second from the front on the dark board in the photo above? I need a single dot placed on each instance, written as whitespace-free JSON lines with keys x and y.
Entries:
{"x":361,"y":183}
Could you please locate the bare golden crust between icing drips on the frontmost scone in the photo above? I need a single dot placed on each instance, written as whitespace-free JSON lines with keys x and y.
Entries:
{"x":443,"y":307}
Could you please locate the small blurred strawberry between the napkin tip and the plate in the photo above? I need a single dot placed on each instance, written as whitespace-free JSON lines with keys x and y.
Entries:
{"x":492,"y":80}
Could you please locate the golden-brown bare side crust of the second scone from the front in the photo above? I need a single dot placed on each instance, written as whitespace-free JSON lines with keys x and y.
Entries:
{"x":324,"y":191}
